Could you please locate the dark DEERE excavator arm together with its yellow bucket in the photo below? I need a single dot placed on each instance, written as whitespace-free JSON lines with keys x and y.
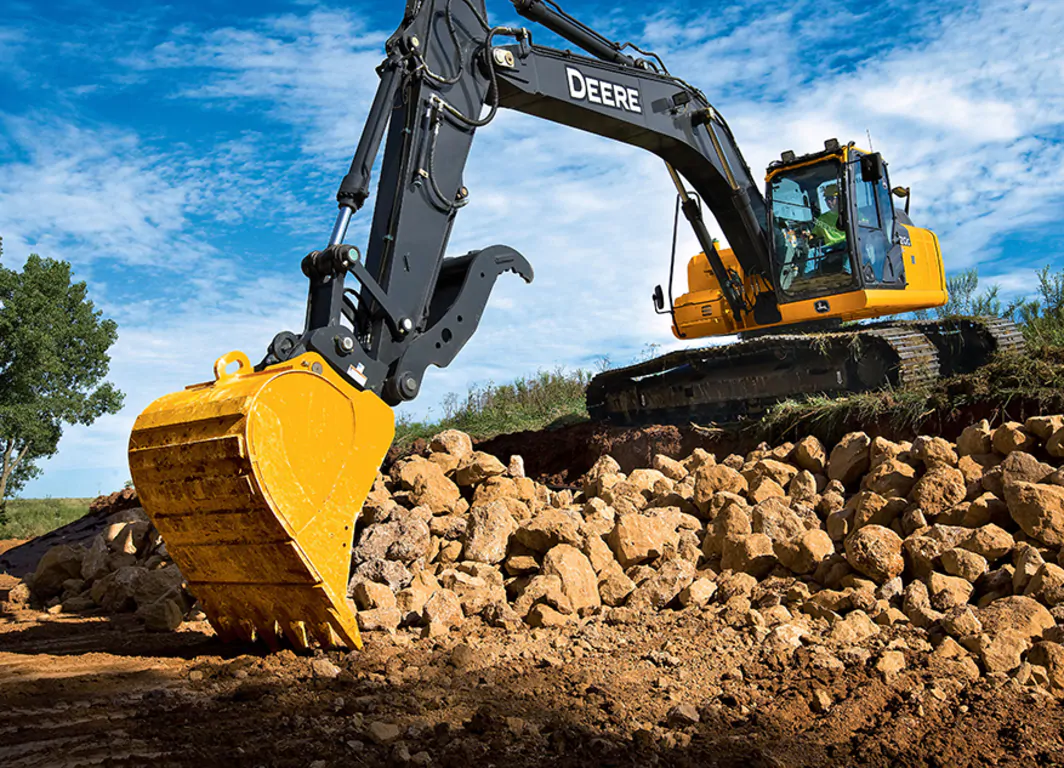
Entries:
{"x":254,"y":479}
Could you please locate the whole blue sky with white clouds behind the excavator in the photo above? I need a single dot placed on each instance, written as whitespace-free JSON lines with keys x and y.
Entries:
{"x":186,"y":158}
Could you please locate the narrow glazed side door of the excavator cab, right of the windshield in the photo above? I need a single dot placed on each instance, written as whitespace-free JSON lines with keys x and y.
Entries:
{"x":879,"y":259}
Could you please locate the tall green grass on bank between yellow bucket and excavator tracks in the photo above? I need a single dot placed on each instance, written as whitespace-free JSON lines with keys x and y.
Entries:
{"x":547,"y":399}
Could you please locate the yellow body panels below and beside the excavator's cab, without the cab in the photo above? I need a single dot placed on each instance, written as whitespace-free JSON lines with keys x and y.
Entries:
{"x":704,"y":312}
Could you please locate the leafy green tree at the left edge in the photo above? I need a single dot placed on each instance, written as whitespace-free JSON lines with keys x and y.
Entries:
{"x":54,"y":359}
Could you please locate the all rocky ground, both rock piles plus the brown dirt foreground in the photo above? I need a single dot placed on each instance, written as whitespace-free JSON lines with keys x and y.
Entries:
{"x":871,"y":603}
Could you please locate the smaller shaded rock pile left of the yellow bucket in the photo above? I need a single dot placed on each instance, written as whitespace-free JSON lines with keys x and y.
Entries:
{"x":125,"y":567}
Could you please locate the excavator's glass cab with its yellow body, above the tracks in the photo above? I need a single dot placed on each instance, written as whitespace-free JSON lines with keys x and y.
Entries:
{"x":839,"y":249}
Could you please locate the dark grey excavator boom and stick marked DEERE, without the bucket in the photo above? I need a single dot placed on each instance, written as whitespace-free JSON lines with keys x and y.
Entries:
{"x":446,"y":76}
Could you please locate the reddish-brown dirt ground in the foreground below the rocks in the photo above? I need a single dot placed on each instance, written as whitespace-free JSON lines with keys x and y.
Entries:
{"x":102,"y":691}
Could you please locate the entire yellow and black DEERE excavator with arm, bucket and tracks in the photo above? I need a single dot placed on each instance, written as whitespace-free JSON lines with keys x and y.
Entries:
{"x":256,"y":479}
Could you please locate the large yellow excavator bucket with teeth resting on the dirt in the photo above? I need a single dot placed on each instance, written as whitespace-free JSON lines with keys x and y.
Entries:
{"x":255,"y":481}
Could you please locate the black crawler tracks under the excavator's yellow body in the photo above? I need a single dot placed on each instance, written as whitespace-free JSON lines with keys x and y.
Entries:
{"x":733,"y":382}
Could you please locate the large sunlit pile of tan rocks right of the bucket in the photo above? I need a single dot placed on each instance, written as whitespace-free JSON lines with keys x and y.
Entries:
{"x":960,"y":542}
